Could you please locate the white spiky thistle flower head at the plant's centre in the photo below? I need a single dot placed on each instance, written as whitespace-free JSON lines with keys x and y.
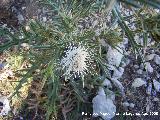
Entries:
{"x":76,"y":60}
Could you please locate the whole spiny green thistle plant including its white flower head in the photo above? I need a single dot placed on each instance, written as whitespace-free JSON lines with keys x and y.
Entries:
{"x":67,"y":57}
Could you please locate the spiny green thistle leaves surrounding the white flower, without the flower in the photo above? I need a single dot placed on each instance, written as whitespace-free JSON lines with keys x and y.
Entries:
{"x":47,"y":43}
